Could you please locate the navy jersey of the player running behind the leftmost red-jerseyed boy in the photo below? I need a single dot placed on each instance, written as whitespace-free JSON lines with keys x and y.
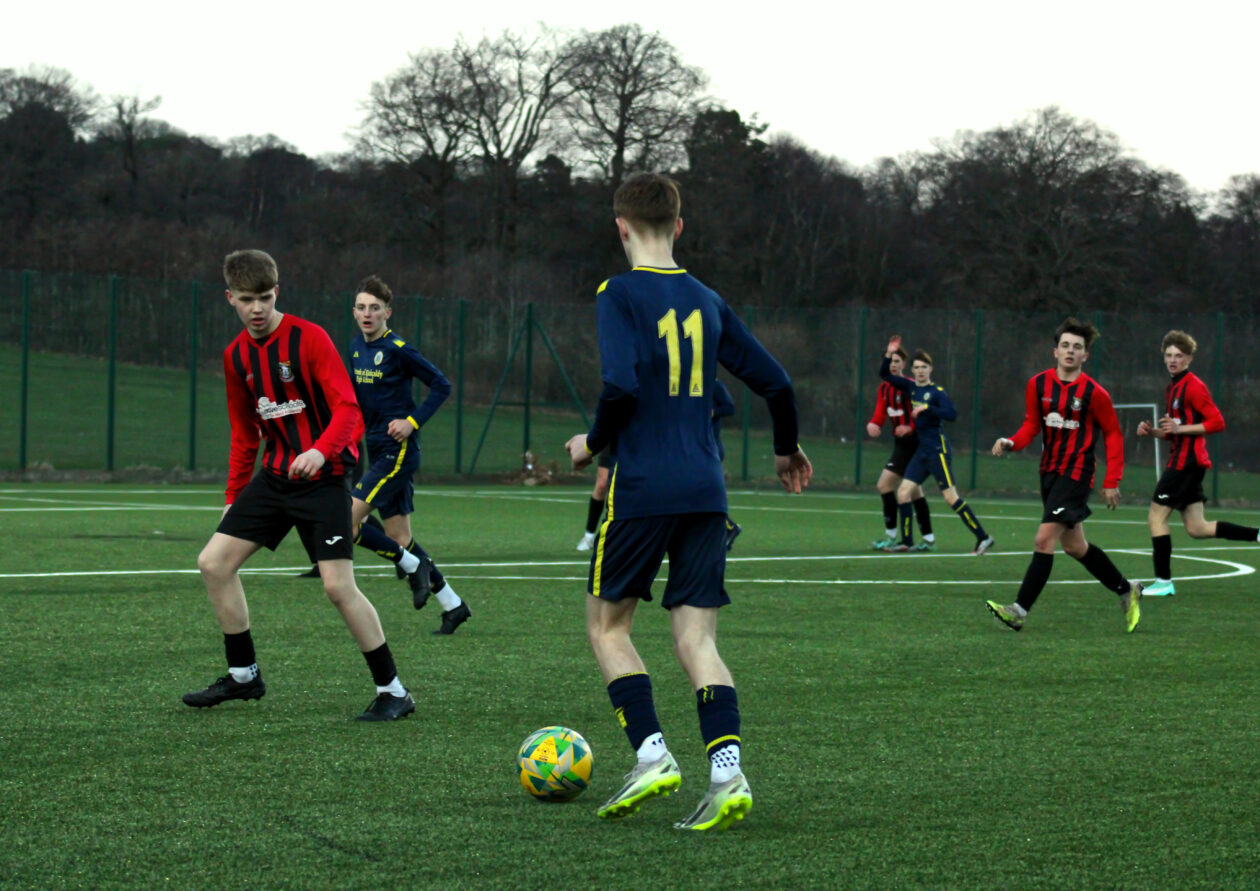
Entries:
{"x":382,"y":372}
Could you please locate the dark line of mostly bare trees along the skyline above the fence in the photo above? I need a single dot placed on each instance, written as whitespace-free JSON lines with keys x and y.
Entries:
{"x":486,"y":171}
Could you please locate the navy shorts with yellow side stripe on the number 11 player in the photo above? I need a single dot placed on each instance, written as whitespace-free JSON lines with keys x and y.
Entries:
{"x":628,"y":556}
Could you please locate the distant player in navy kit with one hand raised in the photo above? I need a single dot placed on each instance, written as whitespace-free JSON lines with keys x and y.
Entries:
{"x":931,"y":408}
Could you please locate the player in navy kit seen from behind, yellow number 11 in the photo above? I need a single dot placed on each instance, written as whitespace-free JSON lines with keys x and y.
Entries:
{"x":662,"y":336}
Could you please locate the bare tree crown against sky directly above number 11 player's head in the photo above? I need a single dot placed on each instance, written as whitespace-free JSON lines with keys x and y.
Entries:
{"x":632,"y":101}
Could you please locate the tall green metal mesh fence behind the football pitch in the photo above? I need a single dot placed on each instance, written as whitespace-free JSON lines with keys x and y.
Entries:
{"x":106,"y":374}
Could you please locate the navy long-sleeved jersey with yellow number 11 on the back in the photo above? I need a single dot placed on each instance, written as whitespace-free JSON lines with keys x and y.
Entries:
{"x":662,"y":336}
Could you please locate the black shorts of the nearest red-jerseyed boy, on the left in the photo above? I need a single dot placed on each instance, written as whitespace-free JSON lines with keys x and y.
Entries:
{"x":270,"y":506}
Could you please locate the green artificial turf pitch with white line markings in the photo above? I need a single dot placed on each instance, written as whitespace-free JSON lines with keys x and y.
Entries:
{"x":894,"y":735}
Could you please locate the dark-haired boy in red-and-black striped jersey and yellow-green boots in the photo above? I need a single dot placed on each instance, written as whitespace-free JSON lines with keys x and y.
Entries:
{"x":1070,"y":411}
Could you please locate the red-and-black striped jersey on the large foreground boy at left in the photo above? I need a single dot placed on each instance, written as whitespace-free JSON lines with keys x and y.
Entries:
{"x":292,"y":390}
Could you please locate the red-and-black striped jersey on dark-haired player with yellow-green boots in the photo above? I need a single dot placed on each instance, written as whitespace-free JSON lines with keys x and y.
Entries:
{"x":1069,"y":417}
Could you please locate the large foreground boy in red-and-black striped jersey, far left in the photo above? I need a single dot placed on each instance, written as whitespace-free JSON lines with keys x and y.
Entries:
{"x":287,"y":384}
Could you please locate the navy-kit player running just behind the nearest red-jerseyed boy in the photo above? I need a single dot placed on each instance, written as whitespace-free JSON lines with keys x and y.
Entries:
{"x":384,"y":367}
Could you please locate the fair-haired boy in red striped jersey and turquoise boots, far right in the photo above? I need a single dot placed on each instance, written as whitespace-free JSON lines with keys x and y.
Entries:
{"x":1190,"y":415}
